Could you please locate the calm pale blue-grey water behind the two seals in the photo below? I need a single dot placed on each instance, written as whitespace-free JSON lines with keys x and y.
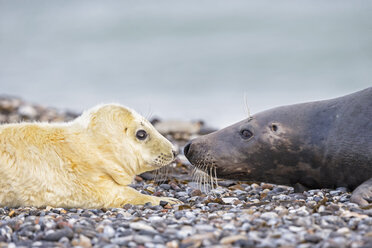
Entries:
{"x":184,"y":59}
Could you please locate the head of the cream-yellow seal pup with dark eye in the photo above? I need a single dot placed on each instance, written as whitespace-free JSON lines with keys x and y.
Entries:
{"x":127,"y":138}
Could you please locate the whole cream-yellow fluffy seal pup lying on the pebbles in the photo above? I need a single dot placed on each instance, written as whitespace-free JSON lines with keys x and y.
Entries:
{"x":88,"y":162}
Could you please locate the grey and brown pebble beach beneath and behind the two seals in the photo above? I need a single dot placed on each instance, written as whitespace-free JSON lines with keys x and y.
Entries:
{"x":232,"y":214}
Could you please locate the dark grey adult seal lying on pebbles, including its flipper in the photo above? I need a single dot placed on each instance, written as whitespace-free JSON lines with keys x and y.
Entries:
{"x":316,"y":144}
